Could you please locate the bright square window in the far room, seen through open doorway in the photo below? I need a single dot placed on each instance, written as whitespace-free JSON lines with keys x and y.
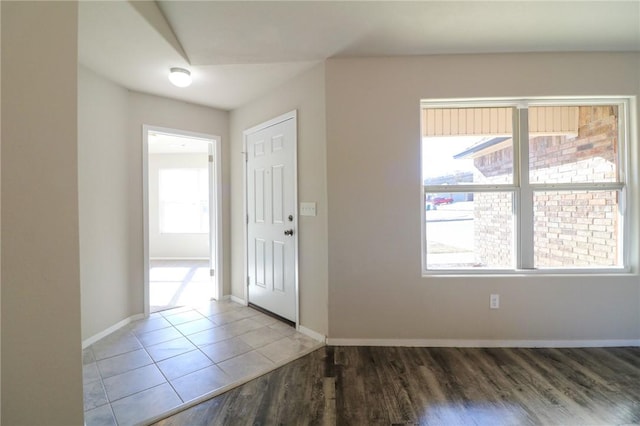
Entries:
{"x":184,"y":201}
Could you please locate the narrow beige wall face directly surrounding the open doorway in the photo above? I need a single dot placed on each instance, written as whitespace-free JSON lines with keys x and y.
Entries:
{"x":172,"y":114}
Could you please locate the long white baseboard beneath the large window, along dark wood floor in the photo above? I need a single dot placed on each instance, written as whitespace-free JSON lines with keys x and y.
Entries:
{"x":454,"y":343}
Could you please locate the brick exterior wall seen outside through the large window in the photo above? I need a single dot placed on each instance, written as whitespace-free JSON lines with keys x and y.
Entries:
{"x":574,"y":228}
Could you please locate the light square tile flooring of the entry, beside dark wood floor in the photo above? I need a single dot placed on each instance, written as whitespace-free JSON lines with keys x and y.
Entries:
{"x":182,"y":356}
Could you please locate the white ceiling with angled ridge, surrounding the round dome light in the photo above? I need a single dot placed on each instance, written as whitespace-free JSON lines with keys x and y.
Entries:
{"x":237,"y":50}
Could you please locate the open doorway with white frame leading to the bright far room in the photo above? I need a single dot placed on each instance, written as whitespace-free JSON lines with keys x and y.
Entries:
{"x":182,"y":222}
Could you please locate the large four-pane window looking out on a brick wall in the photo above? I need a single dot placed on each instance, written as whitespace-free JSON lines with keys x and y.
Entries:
{"x":531,"y":185}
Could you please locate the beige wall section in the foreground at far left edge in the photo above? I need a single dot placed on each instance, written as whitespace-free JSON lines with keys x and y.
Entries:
{"x":41,"y":337}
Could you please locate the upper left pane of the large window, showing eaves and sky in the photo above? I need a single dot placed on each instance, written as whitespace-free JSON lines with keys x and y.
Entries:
{"x":463,"y":146}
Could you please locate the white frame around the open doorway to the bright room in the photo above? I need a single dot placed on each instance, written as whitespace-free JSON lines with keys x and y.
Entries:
{"x":215,"y":193}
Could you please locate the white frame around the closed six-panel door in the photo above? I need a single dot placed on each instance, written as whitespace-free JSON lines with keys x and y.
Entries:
{"x":245,"y":134}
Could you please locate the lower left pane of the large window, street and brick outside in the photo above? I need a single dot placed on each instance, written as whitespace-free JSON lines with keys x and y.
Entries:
{"x":469,"y":230}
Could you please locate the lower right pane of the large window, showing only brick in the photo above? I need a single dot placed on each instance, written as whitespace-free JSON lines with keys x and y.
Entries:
{"x":576,"y":229}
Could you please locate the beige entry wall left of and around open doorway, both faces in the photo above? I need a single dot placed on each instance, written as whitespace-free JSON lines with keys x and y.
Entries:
{"x":110,"y":121}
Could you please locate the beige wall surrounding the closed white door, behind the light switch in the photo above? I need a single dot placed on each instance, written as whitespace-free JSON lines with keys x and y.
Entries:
{"x":306,"y":94}
